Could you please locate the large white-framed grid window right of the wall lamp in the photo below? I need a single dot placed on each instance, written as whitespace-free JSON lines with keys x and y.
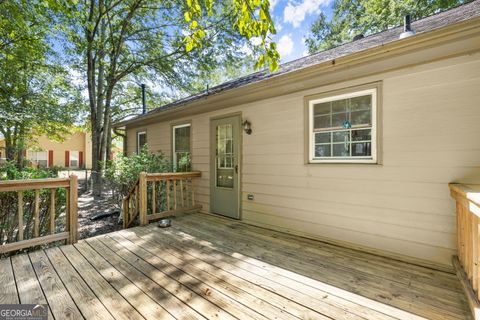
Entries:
{"x":342,"y":128}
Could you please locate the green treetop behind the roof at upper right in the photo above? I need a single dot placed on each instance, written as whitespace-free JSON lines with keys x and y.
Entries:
{"x":353,"y":17}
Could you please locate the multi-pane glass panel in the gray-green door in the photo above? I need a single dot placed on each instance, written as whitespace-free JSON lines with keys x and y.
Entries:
{"x":224,"y":156}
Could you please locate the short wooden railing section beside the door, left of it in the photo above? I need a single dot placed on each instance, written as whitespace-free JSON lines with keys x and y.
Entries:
{"x":158,"y":195}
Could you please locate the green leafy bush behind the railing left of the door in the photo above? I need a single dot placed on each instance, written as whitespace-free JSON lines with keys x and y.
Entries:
{"x":122,"y":173}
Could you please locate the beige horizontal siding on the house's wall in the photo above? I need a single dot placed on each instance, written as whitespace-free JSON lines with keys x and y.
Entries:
{"x":429,"y":137}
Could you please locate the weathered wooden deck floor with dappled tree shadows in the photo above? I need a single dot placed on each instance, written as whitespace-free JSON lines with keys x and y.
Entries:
{"x":214,"y":268}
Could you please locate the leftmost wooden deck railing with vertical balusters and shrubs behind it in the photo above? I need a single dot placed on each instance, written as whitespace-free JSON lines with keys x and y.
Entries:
{"x":42,"y":225}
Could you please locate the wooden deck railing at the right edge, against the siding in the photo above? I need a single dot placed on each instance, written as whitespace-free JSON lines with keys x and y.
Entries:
{"x":467,"y":263}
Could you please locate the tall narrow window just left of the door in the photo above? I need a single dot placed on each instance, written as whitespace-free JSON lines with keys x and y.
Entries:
{"x":181,"y":148}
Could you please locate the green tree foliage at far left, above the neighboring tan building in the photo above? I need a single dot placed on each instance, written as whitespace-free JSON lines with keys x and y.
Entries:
{"x":35,"y":91}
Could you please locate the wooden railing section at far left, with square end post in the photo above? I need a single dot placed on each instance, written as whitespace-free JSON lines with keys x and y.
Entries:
{"x":36,"y":186}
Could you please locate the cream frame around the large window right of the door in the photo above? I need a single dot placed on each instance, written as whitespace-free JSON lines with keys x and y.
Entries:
{"x":339,"y":95}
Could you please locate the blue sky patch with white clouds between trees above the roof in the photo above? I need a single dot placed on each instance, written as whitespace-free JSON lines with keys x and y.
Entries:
{"x":292,"y":20}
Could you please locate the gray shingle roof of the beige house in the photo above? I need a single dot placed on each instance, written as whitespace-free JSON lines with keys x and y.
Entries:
{"x":452,"y":16}
